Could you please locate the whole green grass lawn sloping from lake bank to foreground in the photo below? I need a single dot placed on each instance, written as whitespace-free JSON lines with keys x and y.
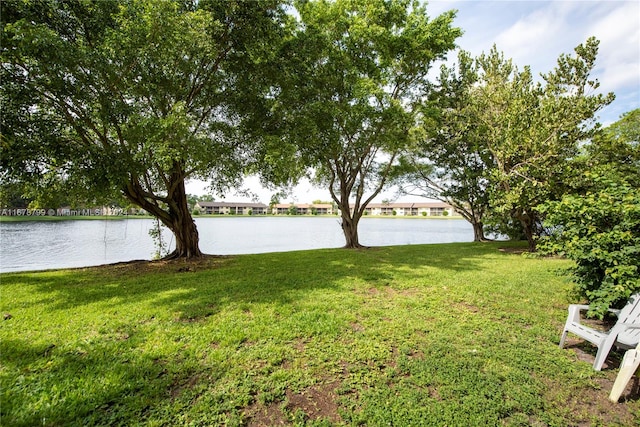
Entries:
{"x":453,"y":334}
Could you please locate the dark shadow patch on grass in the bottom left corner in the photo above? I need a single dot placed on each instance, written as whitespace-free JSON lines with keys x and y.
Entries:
{"x":98,"y":385}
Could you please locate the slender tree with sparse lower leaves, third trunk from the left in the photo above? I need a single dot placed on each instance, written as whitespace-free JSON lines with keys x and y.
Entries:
{"x":449,"y":162}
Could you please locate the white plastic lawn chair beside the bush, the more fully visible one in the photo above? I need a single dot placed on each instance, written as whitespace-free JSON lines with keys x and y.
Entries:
{"x":624,"y":334}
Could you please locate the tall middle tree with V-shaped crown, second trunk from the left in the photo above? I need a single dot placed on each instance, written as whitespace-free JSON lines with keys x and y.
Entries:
{"x":357,"y":72}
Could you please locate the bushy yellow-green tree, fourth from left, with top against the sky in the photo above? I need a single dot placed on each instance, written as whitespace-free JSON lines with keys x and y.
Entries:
{"x":535,"y":130}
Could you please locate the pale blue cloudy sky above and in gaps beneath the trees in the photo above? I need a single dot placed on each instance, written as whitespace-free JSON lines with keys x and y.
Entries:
{"x":533,"y":33}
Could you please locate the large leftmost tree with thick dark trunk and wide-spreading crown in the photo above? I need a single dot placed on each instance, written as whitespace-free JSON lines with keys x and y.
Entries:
{"x":134,"y":97}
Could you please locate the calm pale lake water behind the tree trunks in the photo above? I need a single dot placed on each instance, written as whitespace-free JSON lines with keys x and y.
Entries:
{"x":59,"y":244}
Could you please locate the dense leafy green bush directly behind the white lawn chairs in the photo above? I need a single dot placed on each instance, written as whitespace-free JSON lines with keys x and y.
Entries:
{"x":601,"y":233}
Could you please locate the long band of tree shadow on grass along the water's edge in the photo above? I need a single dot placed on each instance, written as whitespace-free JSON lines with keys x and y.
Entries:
{"x":219,"y":281}
